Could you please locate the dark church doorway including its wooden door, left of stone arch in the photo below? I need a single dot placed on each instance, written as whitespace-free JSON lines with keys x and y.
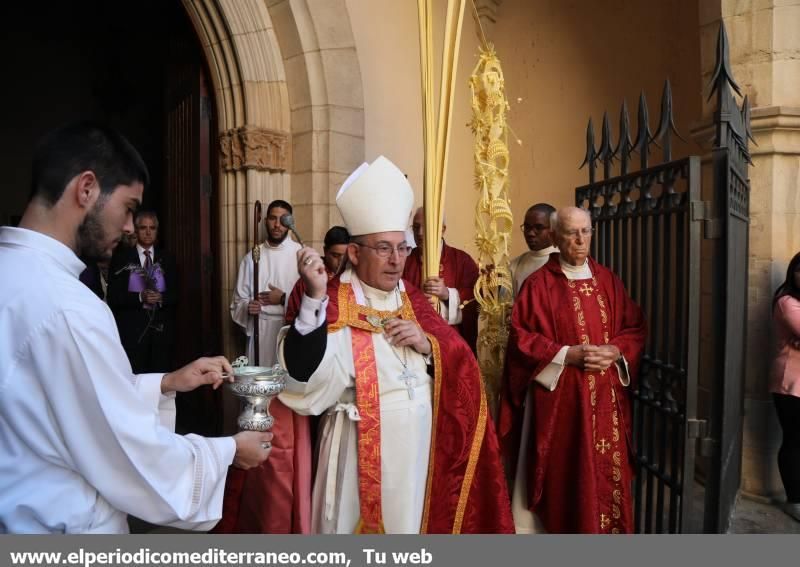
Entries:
{"x":138,"y":66}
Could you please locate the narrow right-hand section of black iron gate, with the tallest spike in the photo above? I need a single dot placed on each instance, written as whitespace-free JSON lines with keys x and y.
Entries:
{"x":731,"y":194}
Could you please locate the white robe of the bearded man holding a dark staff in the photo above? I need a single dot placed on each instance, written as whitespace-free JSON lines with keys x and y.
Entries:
{"x":277,"y":266}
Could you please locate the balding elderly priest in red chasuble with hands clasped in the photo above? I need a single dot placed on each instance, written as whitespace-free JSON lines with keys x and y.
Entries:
{"x":575,"y":342}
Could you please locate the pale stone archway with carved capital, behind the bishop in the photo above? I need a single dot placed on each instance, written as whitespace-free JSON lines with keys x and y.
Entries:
{"x":290,"y":117}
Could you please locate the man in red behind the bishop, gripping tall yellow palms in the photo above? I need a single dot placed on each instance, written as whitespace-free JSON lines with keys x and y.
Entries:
{"x":454,"y":285}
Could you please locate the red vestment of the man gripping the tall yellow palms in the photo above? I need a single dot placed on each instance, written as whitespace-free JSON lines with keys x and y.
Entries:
{"x":460,"y":272}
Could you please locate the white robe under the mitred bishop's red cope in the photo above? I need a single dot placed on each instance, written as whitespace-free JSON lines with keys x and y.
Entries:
{"x":406,"y":414}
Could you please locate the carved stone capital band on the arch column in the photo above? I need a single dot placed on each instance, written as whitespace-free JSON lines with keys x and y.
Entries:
{"x":252,"y":147}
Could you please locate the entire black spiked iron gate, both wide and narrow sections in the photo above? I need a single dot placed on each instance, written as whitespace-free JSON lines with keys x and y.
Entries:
{"x":648,"y":231}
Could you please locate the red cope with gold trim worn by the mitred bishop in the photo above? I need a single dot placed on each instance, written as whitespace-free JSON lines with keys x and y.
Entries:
{"x":466,"y":489}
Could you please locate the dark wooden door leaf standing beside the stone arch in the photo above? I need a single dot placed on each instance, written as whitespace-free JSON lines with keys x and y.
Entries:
{"x":190,"y":225}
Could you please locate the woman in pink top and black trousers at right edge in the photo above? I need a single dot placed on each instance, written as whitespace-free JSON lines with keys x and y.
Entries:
{"x":785,"y":384}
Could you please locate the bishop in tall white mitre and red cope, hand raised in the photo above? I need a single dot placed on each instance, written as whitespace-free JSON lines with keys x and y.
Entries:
{"x":405,"y":442}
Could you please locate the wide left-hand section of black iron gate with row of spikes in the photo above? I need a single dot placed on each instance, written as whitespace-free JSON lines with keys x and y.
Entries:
{"x":644,"y":232}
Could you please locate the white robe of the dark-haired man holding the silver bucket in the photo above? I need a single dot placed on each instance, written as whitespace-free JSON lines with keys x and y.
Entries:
{"x":83,"y":440}
